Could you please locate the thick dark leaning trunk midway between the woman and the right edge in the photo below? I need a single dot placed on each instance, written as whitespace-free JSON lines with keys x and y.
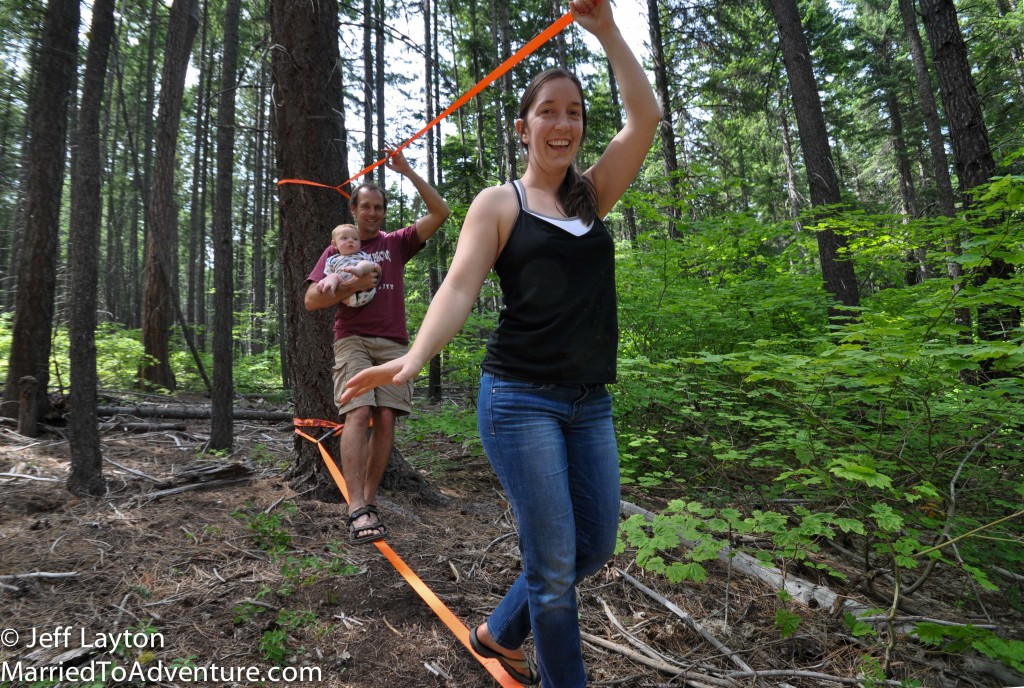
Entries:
{"x":838,"y":272}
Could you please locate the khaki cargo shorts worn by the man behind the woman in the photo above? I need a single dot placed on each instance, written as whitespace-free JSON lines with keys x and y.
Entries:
{"x":356,"y":354}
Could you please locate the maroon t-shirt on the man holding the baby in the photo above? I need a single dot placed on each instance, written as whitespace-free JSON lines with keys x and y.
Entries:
{"x":386,"y":315}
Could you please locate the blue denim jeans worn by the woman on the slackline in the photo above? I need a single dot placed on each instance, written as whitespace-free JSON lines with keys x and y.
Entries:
{"x":553,"y":448}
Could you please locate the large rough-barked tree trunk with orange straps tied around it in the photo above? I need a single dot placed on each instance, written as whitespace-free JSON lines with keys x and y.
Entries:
{"x":310,"y":136}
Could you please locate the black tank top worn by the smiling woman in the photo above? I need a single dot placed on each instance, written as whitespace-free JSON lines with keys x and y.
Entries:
{"x":559,"y":324}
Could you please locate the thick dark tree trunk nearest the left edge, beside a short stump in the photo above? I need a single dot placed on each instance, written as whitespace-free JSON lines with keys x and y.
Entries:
{"x":45,"y":159}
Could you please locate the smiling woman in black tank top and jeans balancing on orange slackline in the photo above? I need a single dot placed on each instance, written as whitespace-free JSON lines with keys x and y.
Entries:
{"x":544,"y":413}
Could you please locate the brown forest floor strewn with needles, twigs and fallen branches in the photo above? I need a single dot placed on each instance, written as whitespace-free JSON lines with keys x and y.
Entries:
{"x":196,"y":570}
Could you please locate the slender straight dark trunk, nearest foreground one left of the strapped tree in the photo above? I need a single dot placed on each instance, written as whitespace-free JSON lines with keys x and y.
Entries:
{"x":223,"y":427}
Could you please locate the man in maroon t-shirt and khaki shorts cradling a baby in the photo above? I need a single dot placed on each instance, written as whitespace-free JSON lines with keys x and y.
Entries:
{"x":373,"y":334}
